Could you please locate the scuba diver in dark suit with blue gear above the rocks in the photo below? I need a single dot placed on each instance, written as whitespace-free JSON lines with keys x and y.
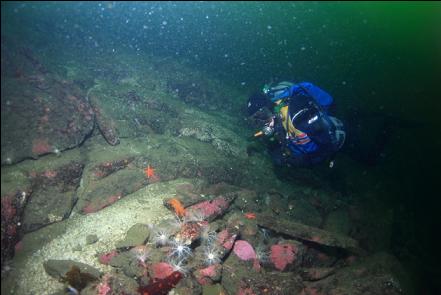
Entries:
{"x":296,"y":120}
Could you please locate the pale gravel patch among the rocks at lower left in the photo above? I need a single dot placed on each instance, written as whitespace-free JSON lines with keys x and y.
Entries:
{"x":110,"y":225}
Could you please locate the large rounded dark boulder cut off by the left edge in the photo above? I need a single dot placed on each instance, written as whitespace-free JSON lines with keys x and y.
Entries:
{"x":40,"y":112}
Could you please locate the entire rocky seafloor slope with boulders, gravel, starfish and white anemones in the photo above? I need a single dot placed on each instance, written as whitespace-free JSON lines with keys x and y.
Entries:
{"x":134,"y":177}
